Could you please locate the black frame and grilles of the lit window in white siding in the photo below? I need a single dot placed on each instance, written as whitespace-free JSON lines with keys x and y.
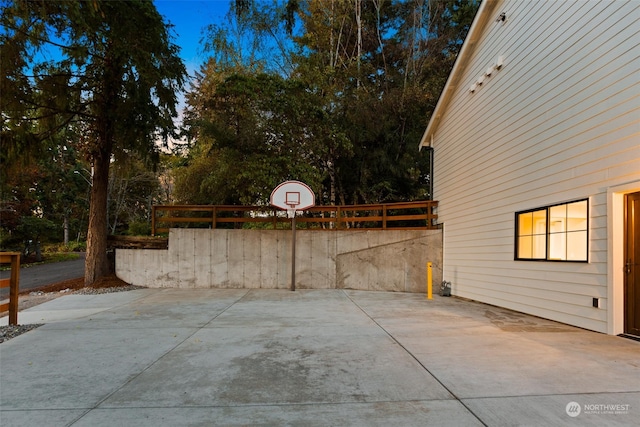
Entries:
{"x":548,"y":233}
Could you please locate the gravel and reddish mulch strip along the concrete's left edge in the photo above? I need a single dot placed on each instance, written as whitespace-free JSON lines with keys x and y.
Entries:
{"x":106,"y":285}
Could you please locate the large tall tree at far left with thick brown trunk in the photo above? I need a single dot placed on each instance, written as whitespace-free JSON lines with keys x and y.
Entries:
{"x":110,"y":68}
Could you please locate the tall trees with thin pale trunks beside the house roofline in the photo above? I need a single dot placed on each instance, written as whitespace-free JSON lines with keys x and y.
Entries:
{"x":380,"y":67}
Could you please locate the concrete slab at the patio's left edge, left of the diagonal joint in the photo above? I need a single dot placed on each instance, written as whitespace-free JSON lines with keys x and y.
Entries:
{"x":77,"y":368}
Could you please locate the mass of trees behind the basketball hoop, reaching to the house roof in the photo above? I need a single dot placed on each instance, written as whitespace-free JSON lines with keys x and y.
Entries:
{"x":343,"y":112}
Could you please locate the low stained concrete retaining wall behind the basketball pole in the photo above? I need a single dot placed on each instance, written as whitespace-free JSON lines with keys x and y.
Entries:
{"x":367,"y":260}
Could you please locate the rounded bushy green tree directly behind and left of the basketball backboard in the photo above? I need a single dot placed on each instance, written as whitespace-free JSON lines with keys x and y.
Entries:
{"x":252,"y":133}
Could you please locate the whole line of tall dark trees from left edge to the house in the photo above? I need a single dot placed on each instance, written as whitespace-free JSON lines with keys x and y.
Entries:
{"x":335,"y":93}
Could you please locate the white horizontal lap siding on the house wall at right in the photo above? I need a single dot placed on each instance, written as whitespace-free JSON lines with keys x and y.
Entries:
{"x":559,"y":122}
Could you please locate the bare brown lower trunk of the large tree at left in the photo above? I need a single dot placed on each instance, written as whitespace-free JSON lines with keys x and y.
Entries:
{"x":96,"y":263}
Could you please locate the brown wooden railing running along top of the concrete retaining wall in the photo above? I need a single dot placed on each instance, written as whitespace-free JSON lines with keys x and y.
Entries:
{"x":397,"y":216}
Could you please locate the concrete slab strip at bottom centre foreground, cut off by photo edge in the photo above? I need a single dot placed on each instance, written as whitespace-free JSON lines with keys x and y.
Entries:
{"x":382,"y":414}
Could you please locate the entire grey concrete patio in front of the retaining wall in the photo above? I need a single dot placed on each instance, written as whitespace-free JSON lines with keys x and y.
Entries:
{"x":177,"y":357}
